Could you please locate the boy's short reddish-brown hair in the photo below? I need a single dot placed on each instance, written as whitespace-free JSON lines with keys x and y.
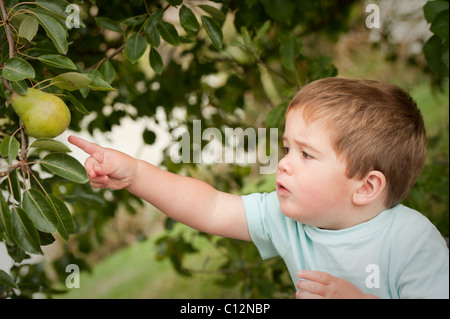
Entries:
{"x":373,"y":125}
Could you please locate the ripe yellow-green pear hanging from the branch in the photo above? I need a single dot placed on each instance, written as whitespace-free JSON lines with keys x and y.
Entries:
{"x":43,"y":114}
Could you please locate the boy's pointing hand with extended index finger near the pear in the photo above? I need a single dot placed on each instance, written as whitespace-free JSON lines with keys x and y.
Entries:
{"x":106,"y":168}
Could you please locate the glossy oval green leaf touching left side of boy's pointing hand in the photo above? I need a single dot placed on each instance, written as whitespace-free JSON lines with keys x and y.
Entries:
{"x":65,"y":166}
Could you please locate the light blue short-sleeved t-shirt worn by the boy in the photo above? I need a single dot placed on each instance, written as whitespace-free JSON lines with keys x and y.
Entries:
{"x":397,"y":254}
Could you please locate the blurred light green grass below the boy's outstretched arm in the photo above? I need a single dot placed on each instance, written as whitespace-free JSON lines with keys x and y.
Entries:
{"x":134,"y":273}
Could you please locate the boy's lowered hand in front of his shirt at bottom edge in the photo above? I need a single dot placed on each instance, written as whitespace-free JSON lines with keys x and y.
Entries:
{"x":321,"y":285}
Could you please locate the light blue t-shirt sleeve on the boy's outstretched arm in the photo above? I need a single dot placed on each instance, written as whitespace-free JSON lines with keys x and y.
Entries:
{"x":259,"y":208}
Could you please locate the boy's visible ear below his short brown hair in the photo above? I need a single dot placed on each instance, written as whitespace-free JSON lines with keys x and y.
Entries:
{"x":371,"y":187}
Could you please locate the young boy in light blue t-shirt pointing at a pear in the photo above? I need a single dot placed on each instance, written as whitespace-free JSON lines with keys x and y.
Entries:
{"x":354,"y":149}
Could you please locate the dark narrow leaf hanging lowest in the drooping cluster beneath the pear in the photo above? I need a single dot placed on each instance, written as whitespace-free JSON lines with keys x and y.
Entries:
{"x":24,"y":232}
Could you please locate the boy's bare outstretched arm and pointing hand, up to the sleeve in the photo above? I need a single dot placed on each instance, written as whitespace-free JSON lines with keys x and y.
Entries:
{"x":187,"y":200}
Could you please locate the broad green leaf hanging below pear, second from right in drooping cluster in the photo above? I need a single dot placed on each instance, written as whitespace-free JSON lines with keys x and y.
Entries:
{"x":39,"y":211}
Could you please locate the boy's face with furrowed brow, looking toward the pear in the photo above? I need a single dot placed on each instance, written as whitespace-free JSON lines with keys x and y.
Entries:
{"x":311,"y":184}
